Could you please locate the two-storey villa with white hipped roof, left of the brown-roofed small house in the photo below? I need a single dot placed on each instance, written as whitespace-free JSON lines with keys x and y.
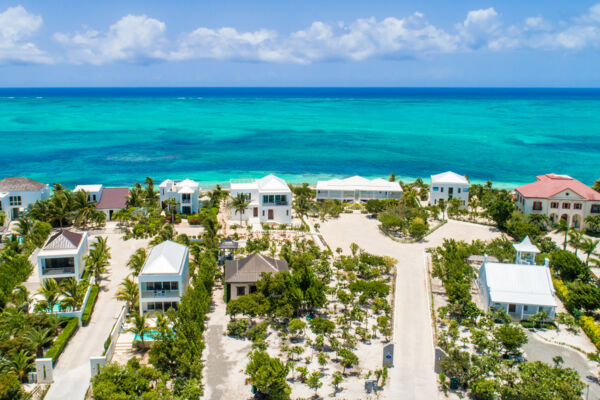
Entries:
{"x":164,"y":277}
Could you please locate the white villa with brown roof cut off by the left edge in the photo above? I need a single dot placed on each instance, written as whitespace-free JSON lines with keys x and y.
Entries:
{"x":18,"y":193}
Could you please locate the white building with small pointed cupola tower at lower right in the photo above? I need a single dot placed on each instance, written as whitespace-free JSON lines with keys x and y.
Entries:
{"x":521,"y":289}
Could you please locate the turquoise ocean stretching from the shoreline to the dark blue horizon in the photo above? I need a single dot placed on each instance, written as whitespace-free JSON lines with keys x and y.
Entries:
{"x":118,"y":136}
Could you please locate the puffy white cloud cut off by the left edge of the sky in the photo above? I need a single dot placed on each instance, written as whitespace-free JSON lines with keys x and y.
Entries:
{"x":16,"y":26}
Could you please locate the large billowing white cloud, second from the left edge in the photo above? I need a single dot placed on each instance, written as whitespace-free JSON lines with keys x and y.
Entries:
{"x":134,"y":38}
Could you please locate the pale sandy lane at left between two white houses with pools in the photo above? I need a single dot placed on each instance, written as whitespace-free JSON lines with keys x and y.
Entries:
{"x":72,"y":371}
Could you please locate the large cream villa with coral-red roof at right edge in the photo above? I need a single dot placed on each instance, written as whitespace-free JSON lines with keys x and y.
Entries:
{"x":558,"y":197}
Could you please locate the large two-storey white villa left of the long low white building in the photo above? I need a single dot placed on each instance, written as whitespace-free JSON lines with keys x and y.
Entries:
{"x":270,"y":199}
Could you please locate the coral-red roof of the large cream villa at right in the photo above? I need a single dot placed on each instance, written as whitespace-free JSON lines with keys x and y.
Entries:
{"x":550,"y":184}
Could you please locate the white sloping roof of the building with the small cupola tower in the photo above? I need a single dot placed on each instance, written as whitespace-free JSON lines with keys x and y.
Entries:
{"x":519,"y":284}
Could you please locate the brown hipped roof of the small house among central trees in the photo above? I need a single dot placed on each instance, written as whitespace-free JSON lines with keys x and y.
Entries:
{"x":249,"y":269}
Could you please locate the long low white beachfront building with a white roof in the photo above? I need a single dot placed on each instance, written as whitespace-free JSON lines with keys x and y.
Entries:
{"x":358,"y":189}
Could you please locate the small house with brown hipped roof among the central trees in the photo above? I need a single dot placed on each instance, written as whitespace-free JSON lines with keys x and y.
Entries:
{"x":241,"y":275}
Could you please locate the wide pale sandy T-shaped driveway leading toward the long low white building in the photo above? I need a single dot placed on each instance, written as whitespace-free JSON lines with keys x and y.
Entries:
{"x":413,"y":376}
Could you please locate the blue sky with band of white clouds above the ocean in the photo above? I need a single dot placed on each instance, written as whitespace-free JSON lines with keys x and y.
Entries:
{"x":509,"y":43}
